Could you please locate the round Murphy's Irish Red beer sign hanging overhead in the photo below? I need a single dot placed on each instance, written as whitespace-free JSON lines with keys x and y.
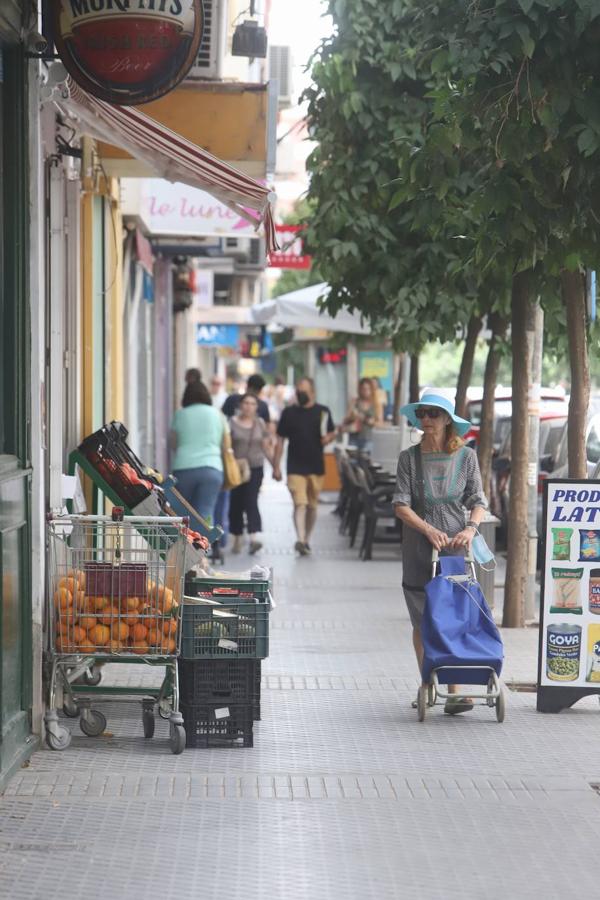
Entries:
{"x":128,"y":51}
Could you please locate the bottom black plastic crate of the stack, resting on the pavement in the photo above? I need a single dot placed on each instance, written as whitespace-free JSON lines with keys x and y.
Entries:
{"x":217,"y":724}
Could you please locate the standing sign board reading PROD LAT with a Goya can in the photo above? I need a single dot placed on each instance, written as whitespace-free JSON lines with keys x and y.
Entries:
{"x":569,"y":648}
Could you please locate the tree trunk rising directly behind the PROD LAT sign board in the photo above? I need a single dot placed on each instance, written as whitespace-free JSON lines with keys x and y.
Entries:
{"x":573,"y":292}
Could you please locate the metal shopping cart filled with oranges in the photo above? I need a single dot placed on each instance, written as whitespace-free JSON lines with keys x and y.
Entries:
{"x":115,"y":591}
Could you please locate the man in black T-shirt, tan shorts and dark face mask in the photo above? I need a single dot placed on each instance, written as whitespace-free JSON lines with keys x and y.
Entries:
{"x":308,"y":427}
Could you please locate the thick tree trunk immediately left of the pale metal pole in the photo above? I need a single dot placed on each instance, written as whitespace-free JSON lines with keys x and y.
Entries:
{"x":517,"y":546}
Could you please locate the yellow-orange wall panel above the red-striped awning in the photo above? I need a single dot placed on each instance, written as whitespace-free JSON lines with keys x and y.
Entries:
{"x":230,"y":121}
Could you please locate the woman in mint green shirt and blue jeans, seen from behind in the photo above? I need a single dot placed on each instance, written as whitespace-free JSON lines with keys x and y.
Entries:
{"x":197,"y":436}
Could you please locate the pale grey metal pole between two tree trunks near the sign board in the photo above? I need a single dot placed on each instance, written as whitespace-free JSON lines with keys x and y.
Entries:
{"x":535,"y":331}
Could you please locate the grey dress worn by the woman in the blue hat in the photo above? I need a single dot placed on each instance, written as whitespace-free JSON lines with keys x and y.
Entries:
{"x":452,"y":486}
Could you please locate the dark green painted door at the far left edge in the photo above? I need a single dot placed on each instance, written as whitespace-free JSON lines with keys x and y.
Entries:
{"x":15,"y":566}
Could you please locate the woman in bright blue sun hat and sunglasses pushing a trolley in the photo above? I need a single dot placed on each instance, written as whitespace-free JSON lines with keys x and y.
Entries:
{"x":453,"y":498}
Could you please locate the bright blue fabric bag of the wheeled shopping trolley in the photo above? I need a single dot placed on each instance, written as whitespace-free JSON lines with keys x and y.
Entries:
{"x":458,"y":628}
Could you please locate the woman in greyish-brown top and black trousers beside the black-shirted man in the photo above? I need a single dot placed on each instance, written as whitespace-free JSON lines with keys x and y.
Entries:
{"x":251,"y":442}
